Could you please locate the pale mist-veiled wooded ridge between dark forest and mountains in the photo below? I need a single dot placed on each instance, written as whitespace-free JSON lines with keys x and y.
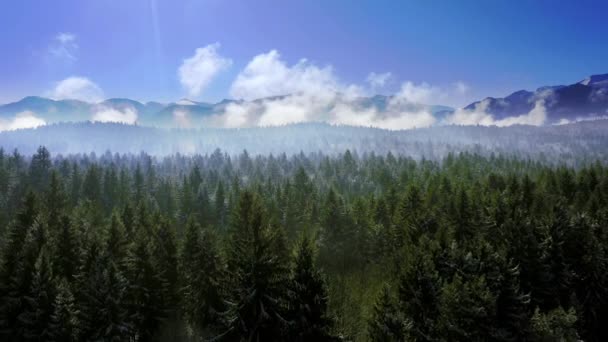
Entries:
{"x":575,"y":144}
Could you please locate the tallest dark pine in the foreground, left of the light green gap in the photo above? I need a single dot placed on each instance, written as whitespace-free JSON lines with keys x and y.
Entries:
{"x":257,"y":259}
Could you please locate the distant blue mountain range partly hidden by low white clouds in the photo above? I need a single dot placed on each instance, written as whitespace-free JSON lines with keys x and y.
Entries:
{"x":563,"y":103}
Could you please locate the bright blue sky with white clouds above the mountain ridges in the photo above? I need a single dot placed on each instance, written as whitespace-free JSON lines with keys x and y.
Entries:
{"x":448,"y":52}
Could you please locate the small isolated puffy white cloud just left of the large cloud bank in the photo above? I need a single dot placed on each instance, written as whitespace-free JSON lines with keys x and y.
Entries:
{"x":198,"y":71}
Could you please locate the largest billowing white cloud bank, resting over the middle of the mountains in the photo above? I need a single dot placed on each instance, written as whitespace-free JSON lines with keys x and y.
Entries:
{"x":277,"y":93}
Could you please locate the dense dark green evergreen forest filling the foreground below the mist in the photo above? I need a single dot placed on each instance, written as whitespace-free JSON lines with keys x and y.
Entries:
{"x":302,"y":247}
